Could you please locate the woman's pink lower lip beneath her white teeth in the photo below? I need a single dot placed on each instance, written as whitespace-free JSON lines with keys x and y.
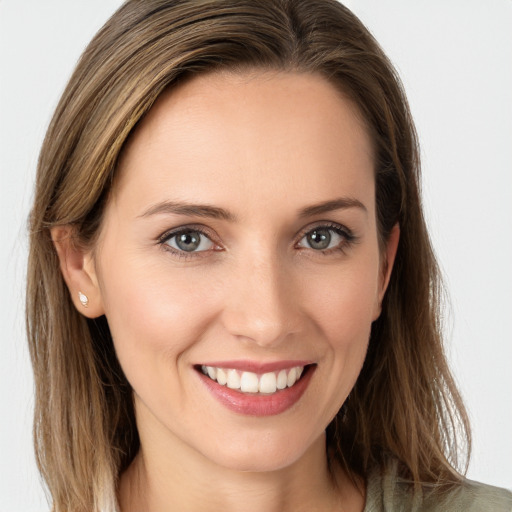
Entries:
{"x":257,"y":404}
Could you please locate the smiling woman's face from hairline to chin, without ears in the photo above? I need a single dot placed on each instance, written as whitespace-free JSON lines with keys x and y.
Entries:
{"x":240,"y":241}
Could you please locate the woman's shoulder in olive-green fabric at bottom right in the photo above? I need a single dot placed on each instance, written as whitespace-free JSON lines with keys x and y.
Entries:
{"x":388,"y":493}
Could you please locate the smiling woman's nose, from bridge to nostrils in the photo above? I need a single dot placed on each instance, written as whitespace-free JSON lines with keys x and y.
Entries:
{"x":262,"y":305}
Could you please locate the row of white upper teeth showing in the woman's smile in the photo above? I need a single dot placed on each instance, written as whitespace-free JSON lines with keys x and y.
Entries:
{"x":250,"y":382}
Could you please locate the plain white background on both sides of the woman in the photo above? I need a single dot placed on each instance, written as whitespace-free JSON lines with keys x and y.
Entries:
{"x":455,"y":58}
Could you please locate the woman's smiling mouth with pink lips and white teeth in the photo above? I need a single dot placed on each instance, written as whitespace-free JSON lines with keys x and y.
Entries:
{"x":264,"y":391}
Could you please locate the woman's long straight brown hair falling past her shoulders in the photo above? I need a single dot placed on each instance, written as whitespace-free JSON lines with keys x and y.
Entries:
{"x":404,"y":406}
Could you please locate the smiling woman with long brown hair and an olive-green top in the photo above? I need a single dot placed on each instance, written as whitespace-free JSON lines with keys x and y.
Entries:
{"x":232,"y":299}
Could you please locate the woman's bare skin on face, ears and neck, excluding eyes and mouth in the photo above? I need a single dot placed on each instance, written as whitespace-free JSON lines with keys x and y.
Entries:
{"x":262,"y":146}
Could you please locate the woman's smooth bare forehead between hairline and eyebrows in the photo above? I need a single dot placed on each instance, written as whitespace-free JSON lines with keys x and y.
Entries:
{"x":258,"y":134}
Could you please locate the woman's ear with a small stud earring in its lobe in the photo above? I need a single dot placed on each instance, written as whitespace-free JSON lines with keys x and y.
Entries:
{"x":79,"y":272}
